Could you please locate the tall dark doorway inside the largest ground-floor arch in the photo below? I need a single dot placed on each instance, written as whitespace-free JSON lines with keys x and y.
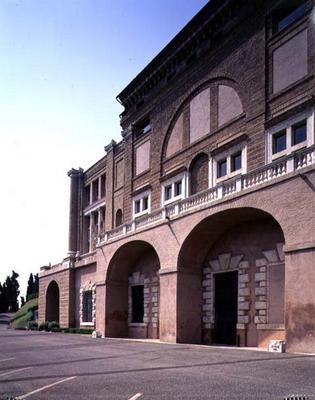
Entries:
{"x":225,"y":305}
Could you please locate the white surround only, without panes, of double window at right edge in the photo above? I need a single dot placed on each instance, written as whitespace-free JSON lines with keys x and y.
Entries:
{"x":287,"y":126}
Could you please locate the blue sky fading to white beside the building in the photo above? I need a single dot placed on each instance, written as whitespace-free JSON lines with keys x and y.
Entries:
{"x":62,"y":64}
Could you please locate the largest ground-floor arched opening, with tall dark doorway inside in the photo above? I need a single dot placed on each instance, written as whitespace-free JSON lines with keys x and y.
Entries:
{"x":237,"y":278}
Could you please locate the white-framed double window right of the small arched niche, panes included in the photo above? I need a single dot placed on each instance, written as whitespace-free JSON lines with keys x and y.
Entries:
{"x":227,"y":164}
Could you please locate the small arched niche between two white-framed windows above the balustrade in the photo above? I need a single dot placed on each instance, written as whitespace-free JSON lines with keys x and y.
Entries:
{"x":199,"y":174}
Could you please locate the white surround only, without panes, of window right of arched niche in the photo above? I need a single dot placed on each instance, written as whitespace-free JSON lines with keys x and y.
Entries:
{"x":227,"y":154}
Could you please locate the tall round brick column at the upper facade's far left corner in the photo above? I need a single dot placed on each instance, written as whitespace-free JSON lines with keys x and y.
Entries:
{"x":74,"y":209}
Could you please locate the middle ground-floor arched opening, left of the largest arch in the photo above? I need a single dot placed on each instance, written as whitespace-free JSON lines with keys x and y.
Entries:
{"x":132,"y":292}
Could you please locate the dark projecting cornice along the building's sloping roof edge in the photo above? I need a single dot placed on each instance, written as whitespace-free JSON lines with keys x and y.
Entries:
{"x":213,"y":19}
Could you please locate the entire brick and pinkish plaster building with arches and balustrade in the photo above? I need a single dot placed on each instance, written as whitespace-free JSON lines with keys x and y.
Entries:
{"x":199,"y":226}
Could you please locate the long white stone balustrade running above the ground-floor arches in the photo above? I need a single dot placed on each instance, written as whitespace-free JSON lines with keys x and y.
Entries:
{"x":274,"y":170}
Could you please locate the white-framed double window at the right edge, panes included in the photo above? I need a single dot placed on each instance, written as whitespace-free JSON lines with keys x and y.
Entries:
{"x":290,"y":135}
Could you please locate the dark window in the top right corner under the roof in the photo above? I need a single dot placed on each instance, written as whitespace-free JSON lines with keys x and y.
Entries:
{"x":288,"y":13}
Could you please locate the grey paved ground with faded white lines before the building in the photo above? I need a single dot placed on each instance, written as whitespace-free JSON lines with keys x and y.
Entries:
{"x":37,"y":365}
